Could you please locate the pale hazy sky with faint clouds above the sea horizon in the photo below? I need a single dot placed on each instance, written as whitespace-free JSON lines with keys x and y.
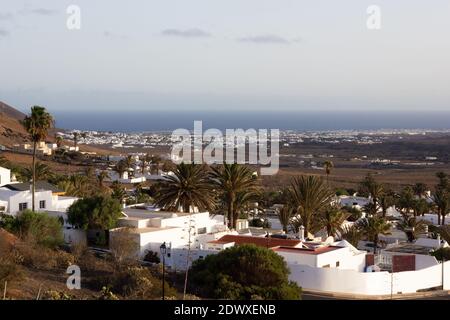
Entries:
{"x":225,"y":54}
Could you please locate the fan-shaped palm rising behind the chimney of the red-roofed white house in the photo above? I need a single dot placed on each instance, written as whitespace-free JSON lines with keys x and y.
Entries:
{"x":309,"y":196}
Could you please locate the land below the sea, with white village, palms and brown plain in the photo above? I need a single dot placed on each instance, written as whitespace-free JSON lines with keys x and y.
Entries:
{"x":351,"y":214}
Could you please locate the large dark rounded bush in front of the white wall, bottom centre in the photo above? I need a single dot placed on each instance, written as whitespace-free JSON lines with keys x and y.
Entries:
{"x":243,"y":272}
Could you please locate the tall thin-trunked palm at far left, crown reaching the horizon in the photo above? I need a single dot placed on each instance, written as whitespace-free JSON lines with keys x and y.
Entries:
{"x":37,"y":125}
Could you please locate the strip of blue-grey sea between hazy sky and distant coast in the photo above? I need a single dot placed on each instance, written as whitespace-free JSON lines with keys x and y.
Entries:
{"x":138,"y":121}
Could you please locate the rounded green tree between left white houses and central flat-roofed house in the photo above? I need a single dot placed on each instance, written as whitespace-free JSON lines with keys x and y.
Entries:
{"x":96,"y":213}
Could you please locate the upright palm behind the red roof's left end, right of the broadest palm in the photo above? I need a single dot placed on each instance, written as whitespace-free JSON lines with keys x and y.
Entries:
{"x":230,"y":181}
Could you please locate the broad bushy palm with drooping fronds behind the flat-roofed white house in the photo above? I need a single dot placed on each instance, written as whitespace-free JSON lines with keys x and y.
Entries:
{"x":187,"y":188}
